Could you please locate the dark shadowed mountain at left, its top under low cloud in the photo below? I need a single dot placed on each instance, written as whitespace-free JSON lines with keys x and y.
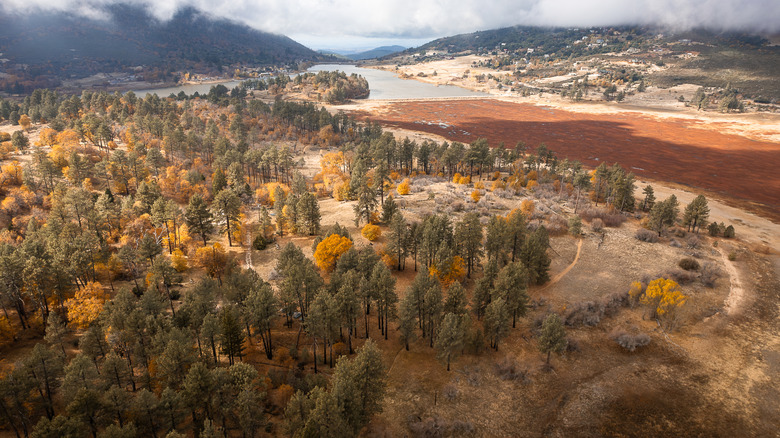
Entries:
{"x":65,"y":45}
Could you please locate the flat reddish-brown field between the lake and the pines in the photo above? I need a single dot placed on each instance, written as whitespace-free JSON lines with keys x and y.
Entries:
{"x":671,"y":149}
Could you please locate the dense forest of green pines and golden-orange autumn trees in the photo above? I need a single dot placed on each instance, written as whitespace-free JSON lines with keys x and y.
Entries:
{"x":124,"y":285}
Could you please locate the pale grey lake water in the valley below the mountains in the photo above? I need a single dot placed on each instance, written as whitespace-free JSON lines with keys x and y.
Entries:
{"x":383,"y":85}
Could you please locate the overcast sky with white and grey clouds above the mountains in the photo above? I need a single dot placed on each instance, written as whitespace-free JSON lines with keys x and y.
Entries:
{"x":331,"y":23}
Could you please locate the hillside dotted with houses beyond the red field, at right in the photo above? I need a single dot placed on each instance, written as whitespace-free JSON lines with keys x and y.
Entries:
{"x":748,"y":63}
